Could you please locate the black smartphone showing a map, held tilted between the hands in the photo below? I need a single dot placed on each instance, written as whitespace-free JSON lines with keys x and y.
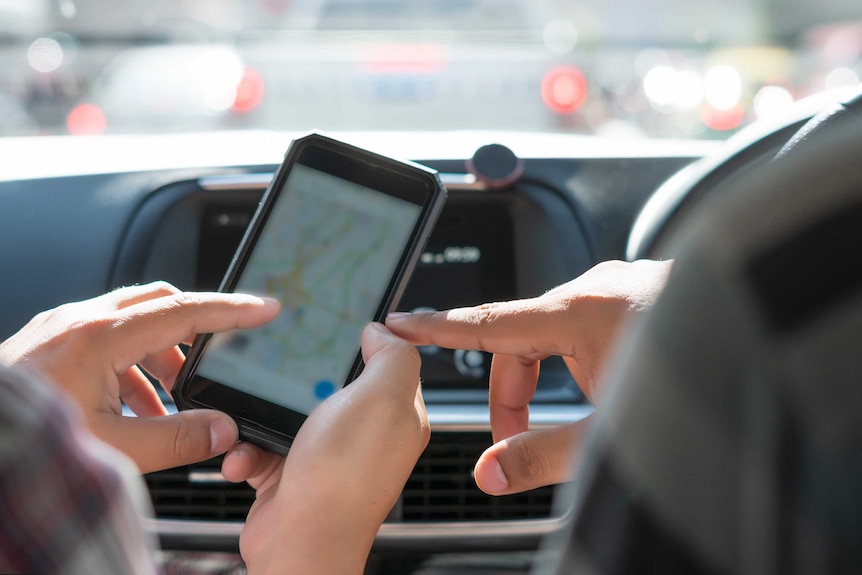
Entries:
{"x":335,"y":239}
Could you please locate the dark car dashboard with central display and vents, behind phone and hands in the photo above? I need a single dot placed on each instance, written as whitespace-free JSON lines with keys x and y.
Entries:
{"x":81,"y":216}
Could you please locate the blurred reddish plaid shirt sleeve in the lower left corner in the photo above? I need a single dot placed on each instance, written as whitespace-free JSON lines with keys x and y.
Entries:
{"x":69,"y":503}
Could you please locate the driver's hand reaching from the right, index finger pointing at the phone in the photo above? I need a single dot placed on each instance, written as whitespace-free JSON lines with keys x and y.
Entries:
{"x":579,"y":321}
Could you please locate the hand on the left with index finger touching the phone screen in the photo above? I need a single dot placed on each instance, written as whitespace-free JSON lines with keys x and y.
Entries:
{"x":97,"y":351}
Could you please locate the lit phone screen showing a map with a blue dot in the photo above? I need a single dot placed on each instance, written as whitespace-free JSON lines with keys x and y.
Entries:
{"x":328,"y":252}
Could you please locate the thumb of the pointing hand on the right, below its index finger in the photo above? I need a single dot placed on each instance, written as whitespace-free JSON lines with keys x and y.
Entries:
{"x":529,"y":460}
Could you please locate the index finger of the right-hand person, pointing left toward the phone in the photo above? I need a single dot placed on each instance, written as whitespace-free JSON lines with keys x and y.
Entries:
{"x":529,"y":327}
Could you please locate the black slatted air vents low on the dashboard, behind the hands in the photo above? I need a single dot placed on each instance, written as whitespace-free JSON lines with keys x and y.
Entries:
{"x":440,"y":489}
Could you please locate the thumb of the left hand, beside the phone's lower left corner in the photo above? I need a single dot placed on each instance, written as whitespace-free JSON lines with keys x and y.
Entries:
{"x":163,"y":442}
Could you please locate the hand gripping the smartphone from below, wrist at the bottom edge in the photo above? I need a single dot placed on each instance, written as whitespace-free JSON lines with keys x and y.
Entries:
{"x":319,"y":509}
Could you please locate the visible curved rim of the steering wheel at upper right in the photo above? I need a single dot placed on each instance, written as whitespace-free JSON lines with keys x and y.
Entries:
{"x":750,"y":149}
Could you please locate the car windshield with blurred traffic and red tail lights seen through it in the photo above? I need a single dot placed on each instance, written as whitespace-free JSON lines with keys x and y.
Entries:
{"x":620,"y":68}
